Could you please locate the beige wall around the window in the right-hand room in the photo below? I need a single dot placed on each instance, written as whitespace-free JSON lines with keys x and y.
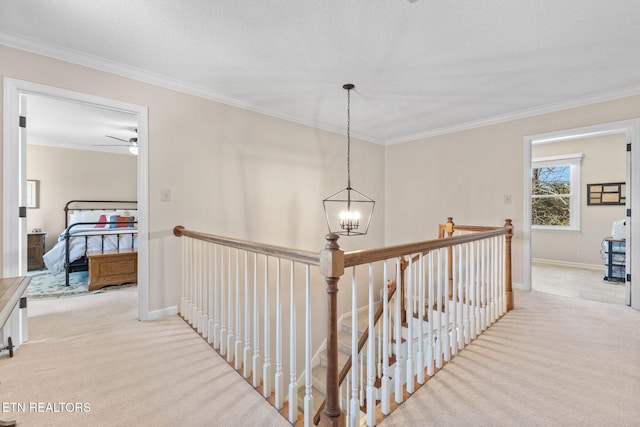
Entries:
{"x":603,"y":161}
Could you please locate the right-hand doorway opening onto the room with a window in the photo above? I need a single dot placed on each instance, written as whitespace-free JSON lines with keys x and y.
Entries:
{"x":586,"y":173}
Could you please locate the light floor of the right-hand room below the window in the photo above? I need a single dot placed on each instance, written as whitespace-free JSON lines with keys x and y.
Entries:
{"x":581,"y":283}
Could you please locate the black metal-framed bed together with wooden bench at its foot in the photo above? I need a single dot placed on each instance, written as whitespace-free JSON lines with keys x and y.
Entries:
{"x":99,"y":234}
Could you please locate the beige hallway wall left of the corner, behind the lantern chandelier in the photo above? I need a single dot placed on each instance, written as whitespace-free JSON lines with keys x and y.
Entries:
{"x":231,"y":172}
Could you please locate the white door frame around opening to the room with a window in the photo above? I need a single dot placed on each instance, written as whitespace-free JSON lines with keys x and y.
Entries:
{"x":629,"y":128}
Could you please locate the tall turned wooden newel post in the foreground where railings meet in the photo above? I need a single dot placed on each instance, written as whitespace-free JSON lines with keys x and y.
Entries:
{"x":332,"y":267}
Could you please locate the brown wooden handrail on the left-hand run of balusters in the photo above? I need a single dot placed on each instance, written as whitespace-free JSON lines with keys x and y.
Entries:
{"x":297,"y":255}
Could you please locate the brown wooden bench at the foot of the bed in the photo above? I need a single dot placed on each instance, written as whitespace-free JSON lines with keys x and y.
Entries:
{"x":115,"y":267}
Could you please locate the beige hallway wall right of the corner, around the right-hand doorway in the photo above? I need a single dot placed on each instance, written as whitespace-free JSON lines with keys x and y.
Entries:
{"x":466,"y":174}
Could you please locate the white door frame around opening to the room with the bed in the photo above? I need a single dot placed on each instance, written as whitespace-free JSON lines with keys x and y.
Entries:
{"x":13,"y":88}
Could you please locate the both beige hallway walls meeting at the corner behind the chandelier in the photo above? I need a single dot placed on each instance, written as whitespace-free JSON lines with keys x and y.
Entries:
{"x":239,"y":173}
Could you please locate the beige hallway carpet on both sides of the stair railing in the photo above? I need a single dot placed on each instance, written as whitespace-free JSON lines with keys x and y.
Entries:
{"x":554,"y":361}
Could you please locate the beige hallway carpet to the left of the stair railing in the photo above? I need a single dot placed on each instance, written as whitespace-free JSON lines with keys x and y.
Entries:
{"x":91,"y":350}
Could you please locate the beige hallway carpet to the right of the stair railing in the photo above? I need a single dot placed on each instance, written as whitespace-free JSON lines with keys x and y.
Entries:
{"x":553,"y":361}
